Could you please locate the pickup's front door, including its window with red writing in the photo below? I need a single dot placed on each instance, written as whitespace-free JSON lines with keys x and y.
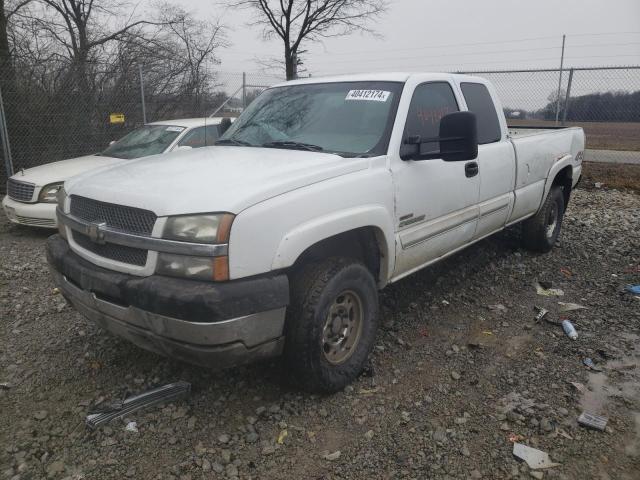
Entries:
{"x":436,"y":201}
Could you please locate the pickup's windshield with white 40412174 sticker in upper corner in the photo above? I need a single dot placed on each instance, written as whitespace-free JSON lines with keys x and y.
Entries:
{"x":347,"y":118}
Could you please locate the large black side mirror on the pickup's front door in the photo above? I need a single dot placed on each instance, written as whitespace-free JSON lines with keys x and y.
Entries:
{"x":457,"y":140}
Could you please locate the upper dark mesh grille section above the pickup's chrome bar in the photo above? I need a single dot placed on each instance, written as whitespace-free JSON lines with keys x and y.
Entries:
{"x":120,"y":217}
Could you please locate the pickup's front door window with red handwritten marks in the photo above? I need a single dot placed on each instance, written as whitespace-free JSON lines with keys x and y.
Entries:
{"x":430,"y":102}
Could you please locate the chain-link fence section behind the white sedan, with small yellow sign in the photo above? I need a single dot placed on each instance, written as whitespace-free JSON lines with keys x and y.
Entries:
{"x":42,"y":125}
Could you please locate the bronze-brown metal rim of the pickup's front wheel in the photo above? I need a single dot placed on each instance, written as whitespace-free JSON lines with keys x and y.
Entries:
{"x":342,"y":327}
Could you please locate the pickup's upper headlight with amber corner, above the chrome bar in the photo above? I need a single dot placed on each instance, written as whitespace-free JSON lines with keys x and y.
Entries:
{"x":209,"y":228}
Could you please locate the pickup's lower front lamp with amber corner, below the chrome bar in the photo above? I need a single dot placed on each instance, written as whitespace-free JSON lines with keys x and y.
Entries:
{"x":196,"y":268}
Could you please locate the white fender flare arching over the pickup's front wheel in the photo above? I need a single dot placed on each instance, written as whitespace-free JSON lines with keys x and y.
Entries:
{"x":305,"y":235}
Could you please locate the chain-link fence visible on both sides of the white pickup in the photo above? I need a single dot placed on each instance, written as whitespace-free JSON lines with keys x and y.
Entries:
{"x":44,"y":125}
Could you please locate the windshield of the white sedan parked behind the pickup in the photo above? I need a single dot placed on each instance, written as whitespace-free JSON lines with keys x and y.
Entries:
{"x":144,"y":141}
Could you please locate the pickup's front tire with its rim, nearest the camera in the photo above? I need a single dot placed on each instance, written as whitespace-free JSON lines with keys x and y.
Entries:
{"x":331,"y":324}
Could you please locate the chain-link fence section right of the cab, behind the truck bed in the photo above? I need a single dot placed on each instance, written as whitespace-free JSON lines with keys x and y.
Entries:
{"x":604,"y":101}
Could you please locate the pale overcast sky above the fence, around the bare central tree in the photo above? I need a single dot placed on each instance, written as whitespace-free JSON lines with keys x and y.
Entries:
{"x":445,"y":35}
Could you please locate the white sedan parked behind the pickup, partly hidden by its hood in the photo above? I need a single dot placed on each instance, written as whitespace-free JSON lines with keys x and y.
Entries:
{"x":31,"y":193}
